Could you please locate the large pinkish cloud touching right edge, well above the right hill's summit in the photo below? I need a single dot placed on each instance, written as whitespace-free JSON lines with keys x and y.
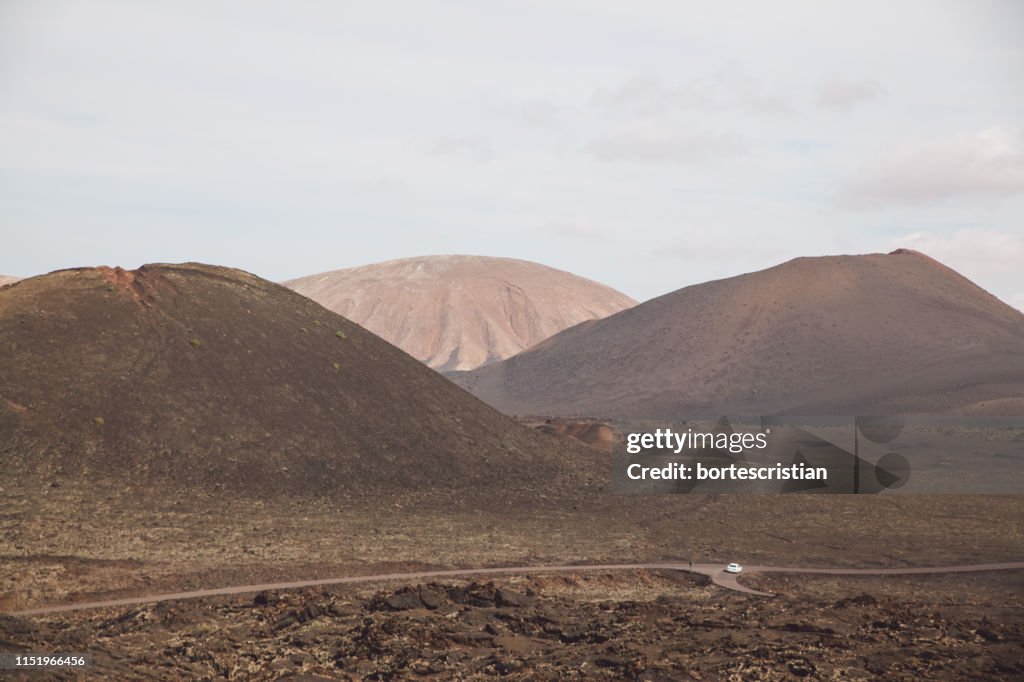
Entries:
{"x":926,"y":170}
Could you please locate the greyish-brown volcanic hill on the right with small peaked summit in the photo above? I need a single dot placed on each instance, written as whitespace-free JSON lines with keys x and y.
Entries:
{"x":848,"y":335}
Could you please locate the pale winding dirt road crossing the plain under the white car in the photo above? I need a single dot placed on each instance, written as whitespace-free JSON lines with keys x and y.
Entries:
{"x":713,"y":571}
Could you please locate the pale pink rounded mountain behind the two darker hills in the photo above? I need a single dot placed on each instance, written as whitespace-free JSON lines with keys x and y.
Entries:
{"x":460,"y":313}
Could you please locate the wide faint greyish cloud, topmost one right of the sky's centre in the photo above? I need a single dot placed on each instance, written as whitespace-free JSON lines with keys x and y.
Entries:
{"x":732,"y":89}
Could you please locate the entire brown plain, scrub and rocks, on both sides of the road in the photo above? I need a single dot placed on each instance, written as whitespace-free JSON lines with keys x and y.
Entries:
{"x":63,"y":545}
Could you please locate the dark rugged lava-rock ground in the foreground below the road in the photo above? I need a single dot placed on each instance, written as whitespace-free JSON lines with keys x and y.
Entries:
{"x":639,"y":626}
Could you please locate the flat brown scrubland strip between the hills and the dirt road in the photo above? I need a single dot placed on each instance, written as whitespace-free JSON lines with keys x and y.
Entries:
{"x":65,"y":545}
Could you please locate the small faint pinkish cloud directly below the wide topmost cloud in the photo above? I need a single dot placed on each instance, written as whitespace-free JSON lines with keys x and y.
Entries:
{"x":654,"y":144}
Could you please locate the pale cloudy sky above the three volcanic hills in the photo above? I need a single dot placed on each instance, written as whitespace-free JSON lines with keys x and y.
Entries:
{"x":647,"y":145}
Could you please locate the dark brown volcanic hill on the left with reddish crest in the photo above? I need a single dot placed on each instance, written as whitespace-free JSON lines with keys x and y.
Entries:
{"x":194,"y":376}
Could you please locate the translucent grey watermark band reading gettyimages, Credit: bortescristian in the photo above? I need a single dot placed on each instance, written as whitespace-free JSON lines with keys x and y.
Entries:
{"x":823,"y":455}
